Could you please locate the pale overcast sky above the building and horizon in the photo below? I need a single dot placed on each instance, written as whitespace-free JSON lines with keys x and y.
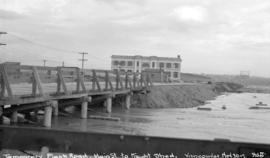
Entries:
{"x":212,"y":36}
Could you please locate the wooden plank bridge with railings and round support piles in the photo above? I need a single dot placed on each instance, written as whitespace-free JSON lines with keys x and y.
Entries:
{"x":27,"y":88}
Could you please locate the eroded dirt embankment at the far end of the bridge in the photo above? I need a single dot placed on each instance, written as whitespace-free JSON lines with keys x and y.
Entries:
{"x":181,"y":96}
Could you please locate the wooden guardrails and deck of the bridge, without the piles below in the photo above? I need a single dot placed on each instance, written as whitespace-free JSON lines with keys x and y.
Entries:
{"x":24,"y":83}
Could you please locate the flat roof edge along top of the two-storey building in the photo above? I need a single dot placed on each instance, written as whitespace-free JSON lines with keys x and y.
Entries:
{"x":178,"y":58}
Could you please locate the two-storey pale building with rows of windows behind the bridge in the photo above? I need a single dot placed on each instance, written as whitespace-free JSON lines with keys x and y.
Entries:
{"x":139,"y":63}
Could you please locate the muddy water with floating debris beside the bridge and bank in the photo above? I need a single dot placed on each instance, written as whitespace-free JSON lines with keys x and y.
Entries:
{"x":237,"y":122}
